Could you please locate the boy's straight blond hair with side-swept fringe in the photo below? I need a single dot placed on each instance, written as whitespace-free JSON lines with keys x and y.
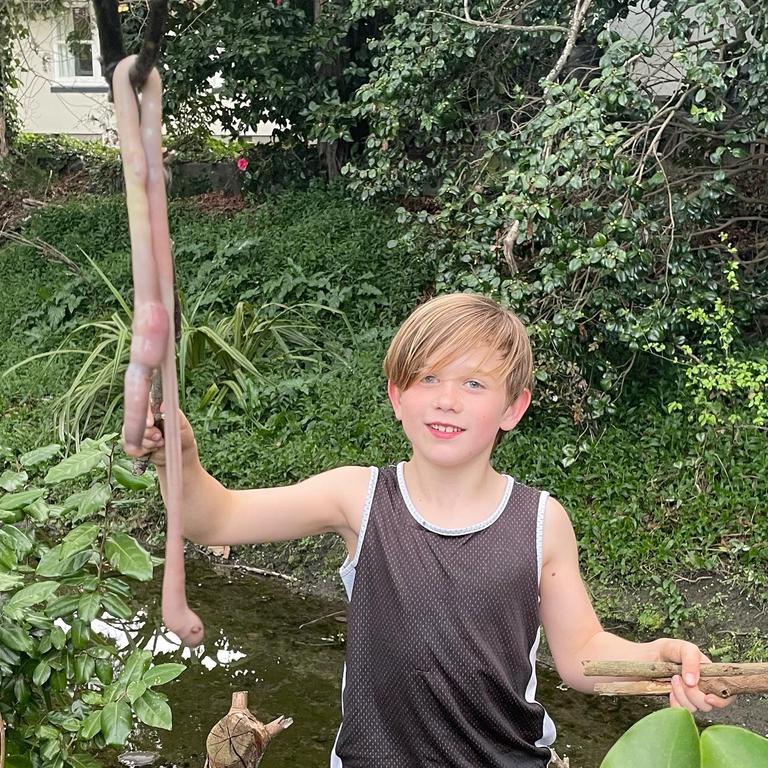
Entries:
{"x":446,"y":327}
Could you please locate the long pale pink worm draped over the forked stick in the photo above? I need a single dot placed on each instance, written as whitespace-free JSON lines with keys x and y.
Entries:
{"x":153,"y":342}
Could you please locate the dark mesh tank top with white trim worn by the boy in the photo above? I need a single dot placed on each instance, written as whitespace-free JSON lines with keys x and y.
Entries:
{"x":443,"y":627}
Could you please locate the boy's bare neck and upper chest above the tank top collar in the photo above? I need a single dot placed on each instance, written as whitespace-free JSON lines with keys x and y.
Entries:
{"x":453,"y":497}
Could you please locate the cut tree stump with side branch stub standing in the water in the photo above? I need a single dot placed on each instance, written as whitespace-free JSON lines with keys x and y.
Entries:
{"x":238,"y":740}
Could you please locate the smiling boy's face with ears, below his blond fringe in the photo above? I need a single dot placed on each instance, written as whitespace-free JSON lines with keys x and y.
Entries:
{"x":452,"y":415}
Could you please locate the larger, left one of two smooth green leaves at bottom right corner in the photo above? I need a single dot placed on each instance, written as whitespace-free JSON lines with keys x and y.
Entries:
{"x":664,"y":739}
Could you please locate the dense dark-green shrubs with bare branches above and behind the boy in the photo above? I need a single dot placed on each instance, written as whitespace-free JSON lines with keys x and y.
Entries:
{"x":584,"y":179}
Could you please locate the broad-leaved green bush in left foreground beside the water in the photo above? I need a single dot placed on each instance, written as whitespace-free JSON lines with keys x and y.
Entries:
{"x":64,"y":563}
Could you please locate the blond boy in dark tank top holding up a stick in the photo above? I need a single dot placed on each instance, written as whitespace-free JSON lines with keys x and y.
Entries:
{"x":451,"y":566}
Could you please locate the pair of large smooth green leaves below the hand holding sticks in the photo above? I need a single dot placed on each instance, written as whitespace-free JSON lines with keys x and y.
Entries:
{"x":669,"y":737}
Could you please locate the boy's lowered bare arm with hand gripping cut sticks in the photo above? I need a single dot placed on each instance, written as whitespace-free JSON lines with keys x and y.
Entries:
{"x":574,"y":633}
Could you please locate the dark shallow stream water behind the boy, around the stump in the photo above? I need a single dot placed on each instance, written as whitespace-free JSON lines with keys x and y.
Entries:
{"x":262,"y":637}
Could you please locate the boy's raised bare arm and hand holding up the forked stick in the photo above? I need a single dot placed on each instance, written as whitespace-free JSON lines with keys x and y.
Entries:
{"x":213,"y":514}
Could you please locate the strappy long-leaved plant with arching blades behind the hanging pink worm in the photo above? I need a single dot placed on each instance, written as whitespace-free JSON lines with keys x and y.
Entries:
{"x":226,"y":350}
